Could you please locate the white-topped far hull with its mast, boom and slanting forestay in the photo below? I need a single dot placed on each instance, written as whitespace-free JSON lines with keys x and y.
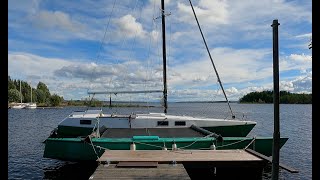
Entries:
{"x":82,"y":123}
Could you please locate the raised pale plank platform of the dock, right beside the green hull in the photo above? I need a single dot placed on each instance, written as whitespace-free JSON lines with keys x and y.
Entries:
{"x":163,"y":156}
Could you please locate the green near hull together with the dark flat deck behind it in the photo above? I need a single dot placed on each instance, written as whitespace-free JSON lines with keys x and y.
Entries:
{"x":91,"y":147}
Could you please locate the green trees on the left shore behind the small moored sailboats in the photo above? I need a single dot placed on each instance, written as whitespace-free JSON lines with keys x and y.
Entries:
{"x":41,"y":95}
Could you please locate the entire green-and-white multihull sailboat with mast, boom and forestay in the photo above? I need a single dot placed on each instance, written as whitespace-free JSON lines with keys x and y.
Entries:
{"x":85,"y":135}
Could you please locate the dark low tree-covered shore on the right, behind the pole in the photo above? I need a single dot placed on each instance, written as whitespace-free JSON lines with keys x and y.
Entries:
{"x":285,"y":98}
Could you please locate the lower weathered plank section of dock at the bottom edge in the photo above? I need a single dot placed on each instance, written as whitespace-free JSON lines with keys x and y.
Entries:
{"x":162,"y":171}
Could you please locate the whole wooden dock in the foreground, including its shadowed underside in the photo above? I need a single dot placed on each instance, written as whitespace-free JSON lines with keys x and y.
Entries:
{"x":186,"y":164}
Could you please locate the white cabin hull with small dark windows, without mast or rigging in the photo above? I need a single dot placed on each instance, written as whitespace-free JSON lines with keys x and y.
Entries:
{"x":92,"y":119}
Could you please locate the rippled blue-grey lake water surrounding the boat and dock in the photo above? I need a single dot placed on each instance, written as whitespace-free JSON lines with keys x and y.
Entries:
{"x":27,"y":129}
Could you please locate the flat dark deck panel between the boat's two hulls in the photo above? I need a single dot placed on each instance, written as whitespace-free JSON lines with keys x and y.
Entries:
{"x":161,"y":132}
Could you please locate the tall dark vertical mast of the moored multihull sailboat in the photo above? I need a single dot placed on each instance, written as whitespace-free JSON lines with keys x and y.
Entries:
{"x":164,"y":57}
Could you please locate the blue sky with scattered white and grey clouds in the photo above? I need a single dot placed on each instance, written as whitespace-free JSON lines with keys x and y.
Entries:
{"x":109,"y":45}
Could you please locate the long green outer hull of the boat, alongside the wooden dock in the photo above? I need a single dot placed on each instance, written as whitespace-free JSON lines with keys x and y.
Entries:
{"x":73,"y":149}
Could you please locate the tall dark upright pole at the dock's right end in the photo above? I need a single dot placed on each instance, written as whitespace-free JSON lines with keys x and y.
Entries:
{"x":276,"y":132}
